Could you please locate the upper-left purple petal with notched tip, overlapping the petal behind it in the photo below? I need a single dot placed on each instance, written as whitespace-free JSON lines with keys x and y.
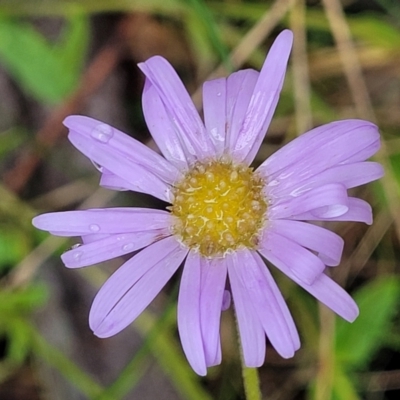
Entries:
{"x":178,"y":104}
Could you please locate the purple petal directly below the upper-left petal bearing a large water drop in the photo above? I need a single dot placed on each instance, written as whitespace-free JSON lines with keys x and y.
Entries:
{"x":139,"y":178}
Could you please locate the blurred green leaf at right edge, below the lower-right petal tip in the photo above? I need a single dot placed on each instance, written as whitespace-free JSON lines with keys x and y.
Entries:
{"x":357,"y":342}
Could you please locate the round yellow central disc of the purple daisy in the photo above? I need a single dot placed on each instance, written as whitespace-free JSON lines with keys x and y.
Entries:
{"x":218,"y":207}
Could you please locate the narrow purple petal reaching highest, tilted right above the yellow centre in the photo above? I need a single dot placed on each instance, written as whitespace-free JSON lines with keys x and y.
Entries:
{"x":264,"y":99}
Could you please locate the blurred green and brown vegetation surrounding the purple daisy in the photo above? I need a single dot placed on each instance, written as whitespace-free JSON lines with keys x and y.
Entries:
{"x":61,"y":57}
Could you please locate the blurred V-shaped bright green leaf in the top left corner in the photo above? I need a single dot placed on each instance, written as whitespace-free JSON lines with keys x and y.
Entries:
{"x":47,"y":71}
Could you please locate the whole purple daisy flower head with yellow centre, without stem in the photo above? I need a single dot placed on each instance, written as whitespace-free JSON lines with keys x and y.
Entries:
{"x":224,"y":217}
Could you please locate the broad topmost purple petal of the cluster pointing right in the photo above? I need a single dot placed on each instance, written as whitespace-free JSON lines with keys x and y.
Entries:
{"x":316,"y":151}
